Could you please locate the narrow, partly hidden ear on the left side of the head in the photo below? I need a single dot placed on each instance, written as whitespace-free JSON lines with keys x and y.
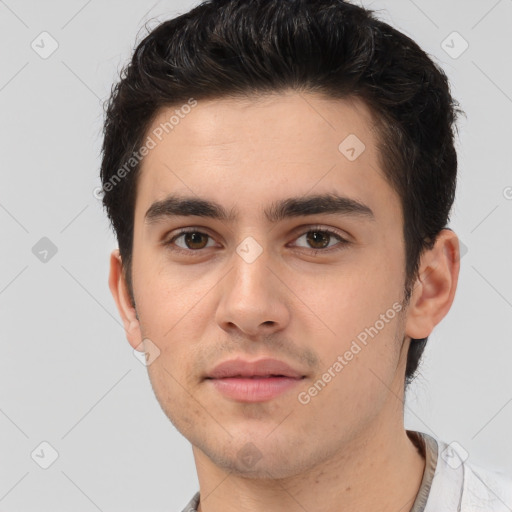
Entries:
{"x":119,"y":290}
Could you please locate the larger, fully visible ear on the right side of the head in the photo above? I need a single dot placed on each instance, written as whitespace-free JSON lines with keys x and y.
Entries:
{"x":434,"y":290}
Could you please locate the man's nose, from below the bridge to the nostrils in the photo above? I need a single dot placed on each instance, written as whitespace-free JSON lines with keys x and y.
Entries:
{"x":253,"y":300}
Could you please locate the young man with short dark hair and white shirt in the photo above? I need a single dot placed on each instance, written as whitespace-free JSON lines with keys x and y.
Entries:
{"x":280,"y":175}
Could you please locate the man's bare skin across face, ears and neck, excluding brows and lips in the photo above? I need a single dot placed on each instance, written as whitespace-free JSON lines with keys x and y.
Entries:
{"x":346,"y":449}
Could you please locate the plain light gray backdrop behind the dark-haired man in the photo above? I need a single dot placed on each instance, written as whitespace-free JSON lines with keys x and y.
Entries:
{"x":67,"y":374}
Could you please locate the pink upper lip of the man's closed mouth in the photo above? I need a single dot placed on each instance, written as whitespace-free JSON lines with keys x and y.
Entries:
{"x":263,"y":368}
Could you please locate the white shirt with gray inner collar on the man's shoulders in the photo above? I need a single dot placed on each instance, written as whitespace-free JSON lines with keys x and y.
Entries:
{"x":450,"y":483}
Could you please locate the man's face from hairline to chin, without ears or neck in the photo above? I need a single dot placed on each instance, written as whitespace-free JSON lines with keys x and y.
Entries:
{"x":265,"y":270}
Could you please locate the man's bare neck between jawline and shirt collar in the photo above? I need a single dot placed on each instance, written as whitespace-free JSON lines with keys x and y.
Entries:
{"x":382,"y":471}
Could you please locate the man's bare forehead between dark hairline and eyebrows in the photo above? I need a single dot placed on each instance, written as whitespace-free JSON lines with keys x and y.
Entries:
{"x":257,"y":150}
